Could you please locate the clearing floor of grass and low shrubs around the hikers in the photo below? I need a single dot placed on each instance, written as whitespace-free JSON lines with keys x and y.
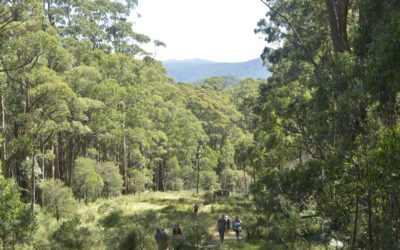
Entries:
{"x":121,"y":221}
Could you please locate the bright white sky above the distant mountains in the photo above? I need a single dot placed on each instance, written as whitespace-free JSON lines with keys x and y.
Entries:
{"x":219,"y":30}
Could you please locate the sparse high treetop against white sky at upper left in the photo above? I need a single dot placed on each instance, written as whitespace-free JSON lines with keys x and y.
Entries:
{"x":104,"y":23}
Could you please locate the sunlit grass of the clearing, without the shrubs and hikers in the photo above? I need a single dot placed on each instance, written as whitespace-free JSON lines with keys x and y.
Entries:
{"x":151,"y":210}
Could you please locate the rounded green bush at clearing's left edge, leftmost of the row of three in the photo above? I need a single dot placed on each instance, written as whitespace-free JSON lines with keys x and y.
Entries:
{"x":60,"y":203}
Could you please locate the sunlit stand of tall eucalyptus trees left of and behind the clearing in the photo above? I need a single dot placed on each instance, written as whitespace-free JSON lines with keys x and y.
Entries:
{"x":74,"y":90}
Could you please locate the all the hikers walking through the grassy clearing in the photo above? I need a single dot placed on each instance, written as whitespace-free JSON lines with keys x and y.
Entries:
{"x":224,"y":224}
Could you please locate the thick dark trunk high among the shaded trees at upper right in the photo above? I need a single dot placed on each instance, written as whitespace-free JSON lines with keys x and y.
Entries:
{"x":337,"y":13}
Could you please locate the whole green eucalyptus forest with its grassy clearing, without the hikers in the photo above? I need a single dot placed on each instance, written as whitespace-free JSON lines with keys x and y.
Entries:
{"x":99,"y":145}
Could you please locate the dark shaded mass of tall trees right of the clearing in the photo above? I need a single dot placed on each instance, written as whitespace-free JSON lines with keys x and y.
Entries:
{"x":325,"y":118}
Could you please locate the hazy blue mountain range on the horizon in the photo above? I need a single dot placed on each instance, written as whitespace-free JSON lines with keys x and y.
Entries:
{"x":194,"y":70}
